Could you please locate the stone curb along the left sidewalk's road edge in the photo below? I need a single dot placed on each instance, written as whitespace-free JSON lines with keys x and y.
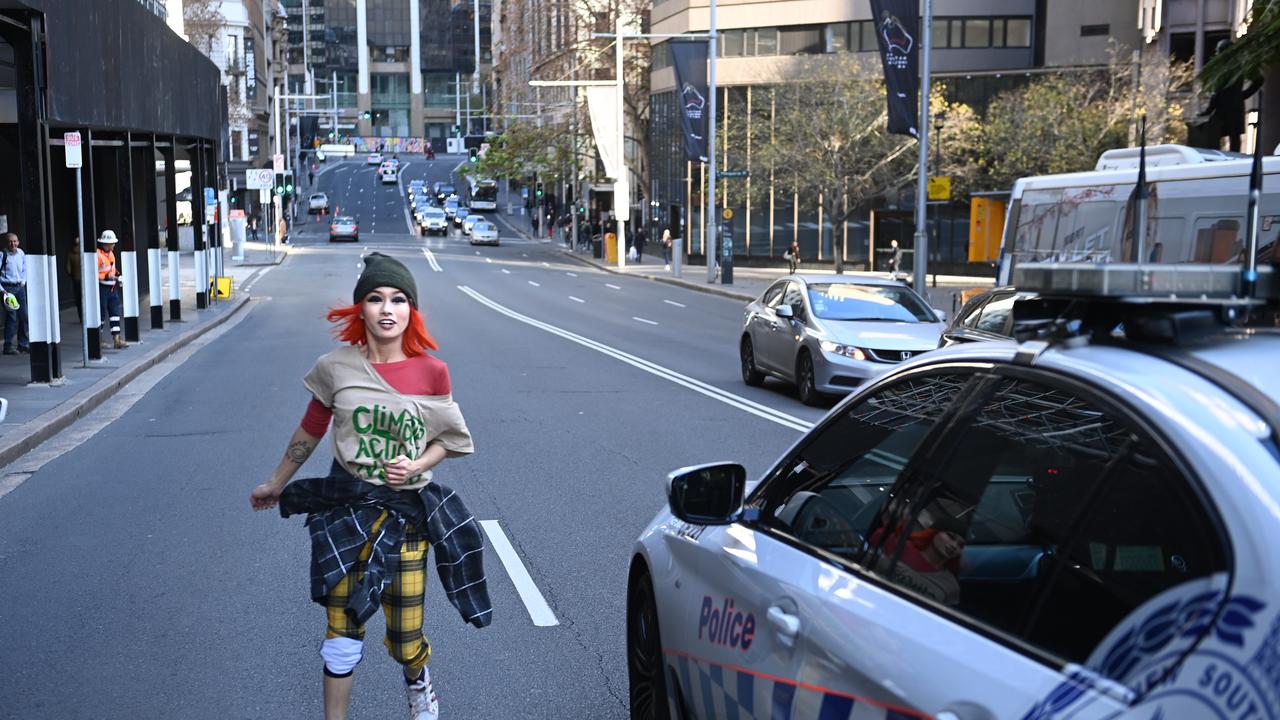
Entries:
{"x":35,"y":432}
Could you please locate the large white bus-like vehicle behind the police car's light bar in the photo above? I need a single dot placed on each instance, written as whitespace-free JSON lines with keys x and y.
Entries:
{"x":1196,"y":211}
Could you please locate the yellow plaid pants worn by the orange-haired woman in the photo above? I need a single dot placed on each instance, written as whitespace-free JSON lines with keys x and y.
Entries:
{"x":403,"y":603}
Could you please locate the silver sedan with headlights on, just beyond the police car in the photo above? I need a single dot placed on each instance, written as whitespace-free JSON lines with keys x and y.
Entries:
{"x":830,"y":334}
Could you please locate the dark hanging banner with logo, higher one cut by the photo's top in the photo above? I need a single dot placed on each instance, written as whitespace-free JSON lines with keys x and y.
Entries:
{"x":898,"y":26}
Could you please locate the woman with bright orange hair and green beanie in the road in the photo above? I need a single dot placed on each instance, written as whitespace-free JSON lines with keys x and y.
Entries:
{"x":374,"y":517}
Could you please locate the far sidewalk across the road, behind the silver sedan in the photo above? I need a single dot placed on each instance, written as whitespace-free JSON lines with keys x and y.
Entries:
{"x":749,"y":282}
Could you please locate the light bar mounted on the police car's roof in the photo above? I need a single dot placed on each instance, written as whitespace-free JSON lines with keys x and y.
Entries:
{"x":1145,"y":282}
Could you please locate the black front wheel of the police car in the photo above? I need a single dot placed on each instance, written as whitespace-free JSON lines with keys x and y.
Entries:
{"x":646,"y":668}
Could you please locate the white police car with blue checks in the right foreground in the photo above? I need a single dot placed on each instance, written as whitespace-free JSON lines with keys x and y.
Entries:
{"x":1081,"y":523}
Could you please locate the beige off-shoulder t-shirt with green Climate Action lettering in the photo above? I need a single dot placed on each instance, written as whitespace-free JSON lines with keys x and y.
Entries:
{"x":373,"y":423}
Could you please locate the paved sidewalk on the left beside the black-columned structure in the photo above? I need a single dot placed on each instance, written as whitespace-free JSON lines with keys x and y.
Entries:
{"x":39,"y":412}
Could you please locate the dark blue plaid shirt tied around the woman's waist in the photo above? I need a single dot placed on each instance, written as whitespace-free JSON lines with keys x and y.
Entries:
{"x":342,"y":512}
